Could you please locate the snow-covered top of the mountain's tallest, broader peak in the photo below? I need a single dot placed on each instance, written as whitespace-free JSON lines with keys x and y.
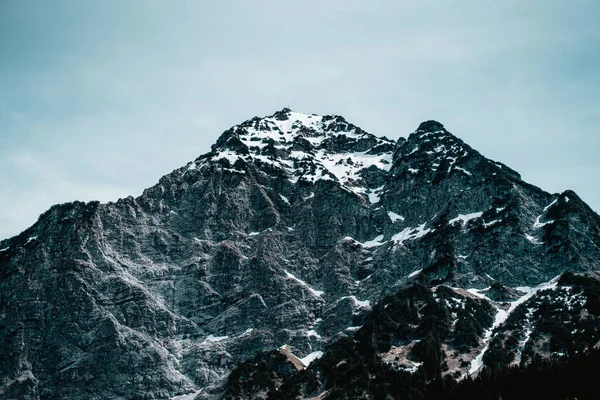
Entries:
{"x":308,"y":148}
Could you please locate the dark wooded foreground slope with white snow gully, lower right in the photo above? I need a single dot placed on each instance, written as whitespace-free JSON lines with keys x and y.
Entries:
{"x":415,"y":342}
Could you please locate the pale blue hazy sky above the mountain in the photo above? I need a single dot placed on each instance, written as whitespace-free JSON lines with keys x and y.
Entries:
{"x":98,"y":100}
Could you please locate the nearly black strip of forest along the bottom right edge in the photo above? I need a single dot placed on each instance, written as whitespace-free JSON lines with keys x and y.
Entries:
{"x":565,"y":378}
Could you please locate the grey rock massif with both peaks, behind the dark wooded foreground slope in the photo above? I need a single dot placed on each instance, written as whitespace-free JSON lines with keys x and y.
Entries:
{"x":286,"y":233}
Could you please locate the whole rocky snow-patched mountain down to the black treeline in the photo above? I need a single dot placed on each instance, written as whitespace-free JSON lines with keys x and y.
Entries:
{"x":297,"y":245}
